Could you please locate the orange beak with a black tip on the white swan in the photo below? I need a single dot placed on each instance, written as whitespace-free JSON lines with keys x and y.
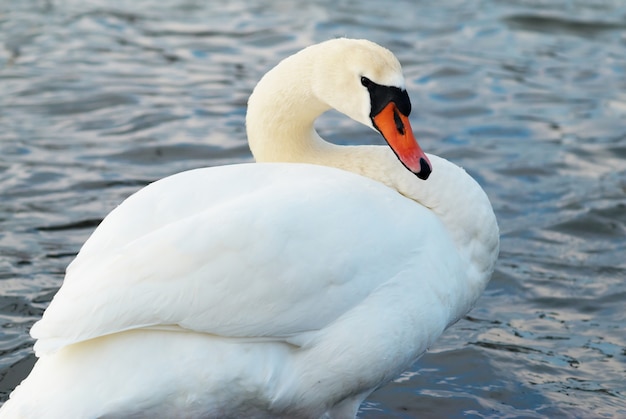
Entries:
{"x":396,"y":129}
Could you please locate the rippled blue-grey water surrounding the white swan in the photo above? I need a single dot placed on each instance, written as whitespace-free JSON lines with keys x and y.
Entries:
{"x":100,"y":98}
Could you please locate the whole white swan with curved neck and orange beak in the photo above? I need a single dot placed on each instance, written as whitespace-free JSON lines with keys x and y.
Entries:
{"x":276,"y":289}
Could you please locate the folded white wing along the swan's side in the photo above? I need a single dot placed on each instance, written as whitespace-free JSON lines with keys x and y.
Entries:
{"x":253,"y":251}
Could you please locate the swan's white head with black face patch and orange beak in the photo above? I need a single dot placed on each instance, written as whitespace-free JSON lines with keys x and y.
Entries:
{"x":364,"y":81}
